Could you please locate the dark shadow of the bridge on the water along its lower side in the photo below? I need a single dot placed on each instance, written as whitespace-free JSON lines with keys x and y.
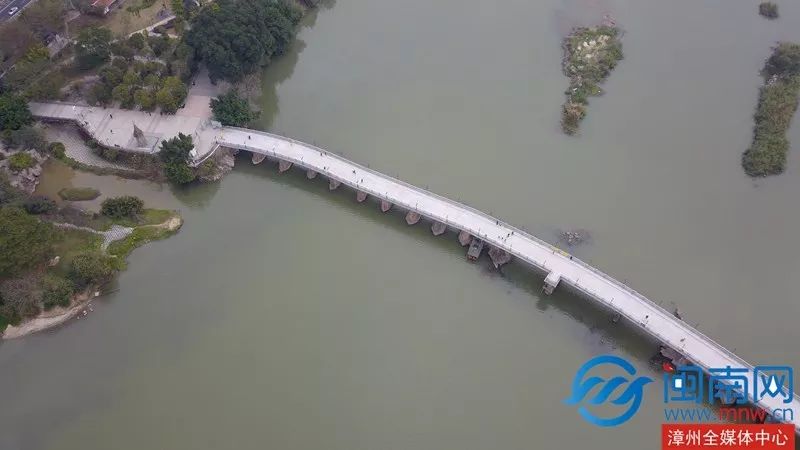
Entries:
{"x":602,"y":333}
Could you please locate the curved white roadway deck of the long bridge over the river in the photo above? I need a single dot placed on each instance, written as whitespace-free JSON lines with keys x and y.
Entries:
{"x":660,"y":323}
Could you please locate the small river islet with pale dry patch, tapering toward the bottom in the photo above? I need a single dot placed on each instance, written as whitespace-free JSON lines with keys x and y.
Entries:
{"x":590,"y":54}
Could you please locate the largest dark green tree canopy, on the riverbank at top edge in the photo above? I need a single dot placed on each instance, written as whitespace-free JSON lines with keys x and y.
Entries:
{"x":234,"y":38}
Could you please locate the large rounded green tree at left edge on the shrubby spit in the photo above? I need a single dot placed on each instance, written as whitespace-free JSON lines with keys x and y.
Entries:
{"x":24,"y":241}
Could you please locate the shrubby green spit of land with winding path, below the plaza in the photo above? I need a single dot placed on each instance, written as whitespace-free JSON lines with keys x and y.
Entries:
{"x":43,"y":266}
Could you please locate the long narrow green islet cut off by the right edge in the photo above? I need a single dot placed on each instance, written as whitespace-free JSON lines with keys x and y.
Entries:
{"x":777,"y":104}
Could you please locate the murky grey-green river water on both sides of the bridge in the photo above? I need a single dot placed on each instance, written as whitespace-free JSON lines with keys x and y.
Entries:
{"x":283,"y":316}
